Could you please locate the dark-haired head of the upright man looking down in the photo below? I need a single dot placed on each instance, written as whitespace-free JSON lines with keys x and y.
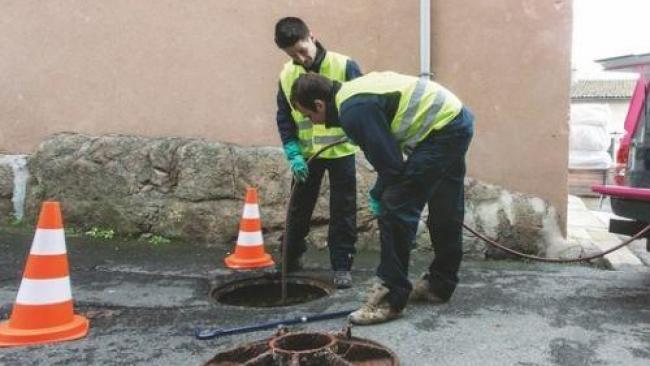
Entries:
{"x":293,"y":36}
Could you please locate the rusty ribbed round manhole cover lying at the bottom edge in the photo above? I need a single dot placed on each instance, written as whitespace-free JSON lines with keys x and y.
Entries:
{"x":308,"y":349}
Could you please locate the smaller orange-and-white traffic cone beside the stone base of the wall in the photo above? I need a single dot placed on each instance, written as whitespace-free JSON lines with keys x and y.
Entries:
{"x":249,"y":252}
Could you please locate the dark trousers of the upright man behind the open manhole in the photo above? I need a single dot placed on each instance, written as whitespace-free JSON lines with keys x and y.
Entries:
{"x":342,"y":234}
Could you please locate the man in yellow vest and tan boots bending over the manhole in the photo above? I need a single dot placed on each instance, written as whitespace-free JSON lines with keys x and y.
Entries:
{"x":388,"y":115}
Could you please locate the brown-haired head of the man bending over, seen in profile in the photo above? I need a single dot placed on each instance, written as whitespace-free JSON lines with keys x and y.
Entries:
{"x":310,"y":94}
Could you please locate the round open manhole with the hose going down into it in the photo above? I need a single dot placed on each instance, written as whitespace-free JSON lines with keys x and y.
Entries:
{"x":267,"y":291}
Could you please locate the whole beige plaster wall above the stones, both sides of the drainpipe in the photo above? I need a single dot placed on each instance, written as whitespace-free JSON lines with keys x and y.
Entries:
{"x":208,"y":68}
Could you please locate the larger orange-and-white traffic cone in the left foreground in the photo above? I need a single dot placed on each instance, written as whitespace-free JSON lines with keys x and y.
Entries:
{"x":43,"y":310}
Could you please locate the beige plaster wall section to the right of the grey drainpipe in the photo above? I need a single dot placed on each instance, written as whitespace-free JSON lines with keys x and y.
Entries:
{"x":510,"y":62}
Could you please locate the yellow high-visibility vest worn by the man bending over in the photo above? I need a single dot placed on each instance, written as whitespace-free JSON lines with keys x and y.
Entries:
{"x":424,"y":105}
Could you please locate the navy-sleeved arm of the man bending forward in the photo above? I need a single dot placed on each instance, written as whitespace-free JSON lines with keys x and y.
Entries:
{"x":365,"y":123}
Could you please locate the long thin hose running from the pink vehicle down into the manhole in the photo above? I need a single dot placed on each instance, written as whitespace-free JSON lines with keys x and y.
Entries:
{"x":636,"y":236}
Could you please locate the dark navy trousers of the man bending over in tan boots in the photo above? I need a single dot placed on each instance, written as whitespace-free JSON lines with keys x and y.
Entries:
{"x":433,"y":175}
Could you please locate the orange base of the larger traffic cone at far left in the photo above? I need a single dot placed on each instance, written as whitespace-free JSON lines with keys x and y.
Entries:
{"x":76,"y":328}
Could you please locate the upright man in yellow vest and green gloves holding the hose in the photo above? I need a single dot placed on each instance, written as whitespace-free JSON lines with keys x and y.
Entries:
{"x":301,"y":140}
